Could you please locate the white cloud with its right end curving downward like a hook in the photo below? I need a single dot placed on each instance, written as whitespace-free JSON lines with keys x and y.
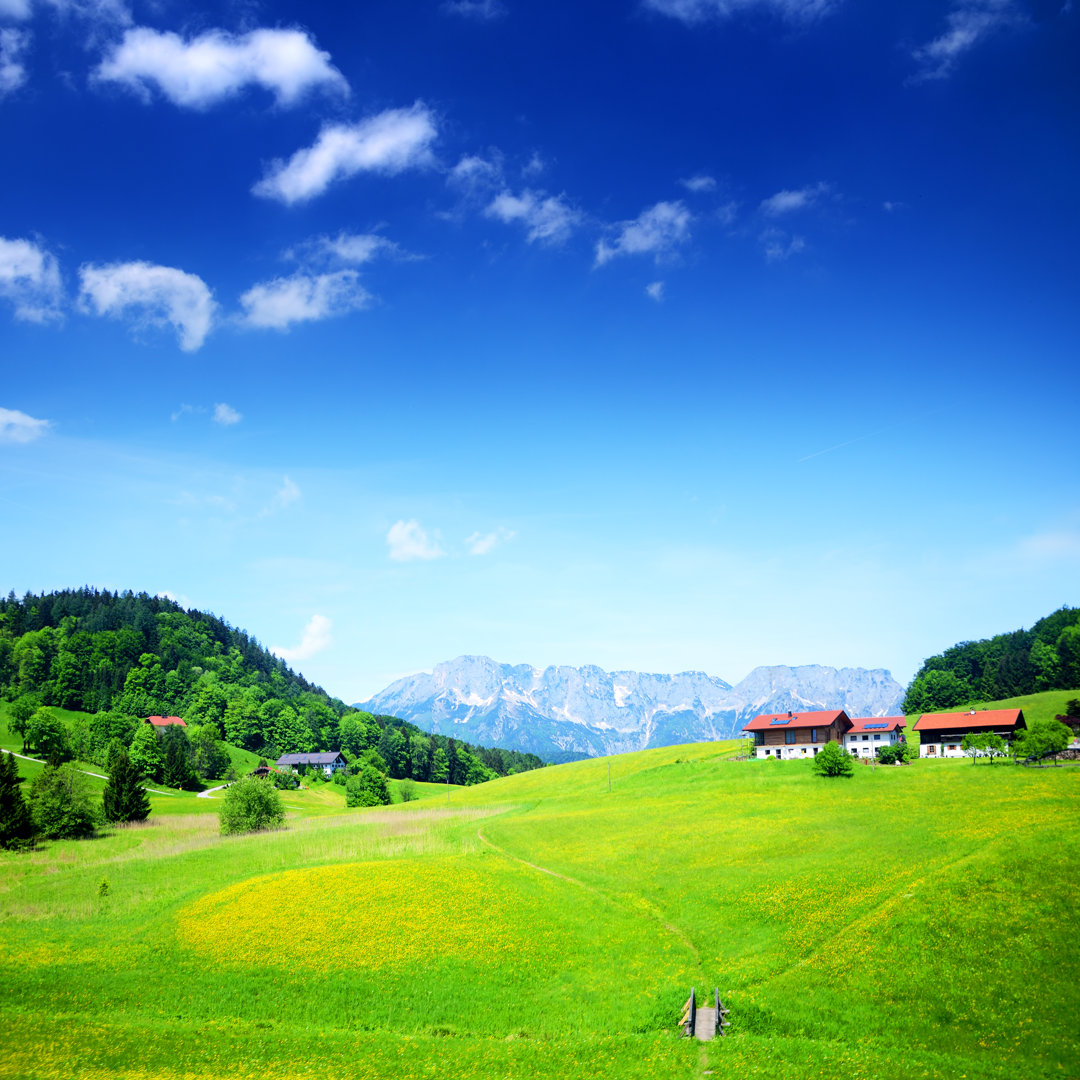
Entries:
{"x":158,"y":295}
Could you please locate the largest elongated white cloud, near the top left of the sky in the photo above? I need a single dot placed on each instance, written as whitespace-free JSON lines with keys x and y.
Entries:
{"x":205,"y":71}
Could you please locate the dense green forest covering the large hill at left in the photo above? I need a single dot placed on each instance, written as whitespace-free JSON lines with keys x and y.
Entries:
{"x":123,"y":657}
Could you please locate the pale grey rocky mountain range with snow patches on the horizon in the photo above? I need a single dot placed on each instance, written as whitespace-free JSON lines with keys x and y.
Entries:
{"x":563,"y":713}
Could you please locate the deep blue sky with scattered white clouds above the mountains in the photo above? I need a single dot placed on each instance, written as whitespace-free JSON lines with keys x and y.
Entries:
{"x":652,"y":334}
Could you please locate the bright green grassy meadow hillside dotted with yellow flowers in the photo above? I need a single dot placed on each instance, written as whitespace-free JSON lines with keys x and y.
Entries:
{"x":907,"y":923}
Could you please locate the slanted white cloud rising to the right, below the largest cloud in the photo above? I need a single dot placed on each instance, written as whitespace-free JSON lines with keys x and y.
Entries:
{"x":388,"y":143}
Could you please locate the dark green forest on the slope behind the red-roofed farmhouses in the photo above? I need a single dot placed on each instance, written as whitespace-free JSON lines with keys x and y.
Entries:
{"x":1047,"y":657}
